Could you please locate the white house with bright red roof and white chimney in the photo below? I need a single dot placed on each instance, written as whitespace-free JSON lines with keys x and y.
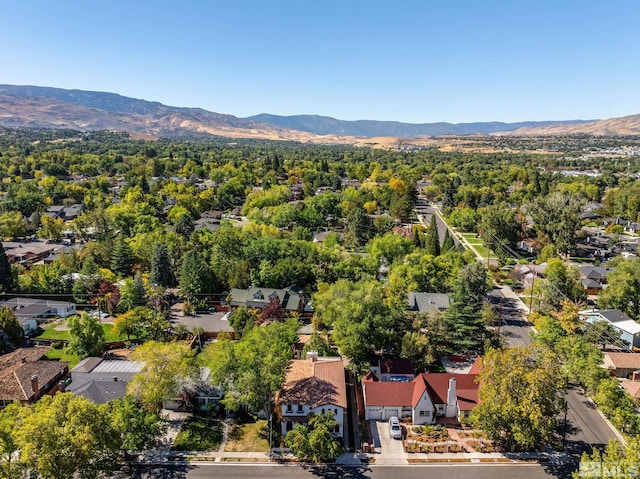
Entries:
{"x":428,"y":398}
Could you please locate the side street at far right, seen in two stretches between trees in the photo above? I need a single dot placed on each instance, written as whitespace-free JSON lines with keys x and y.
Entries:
{"x":586,"y":427}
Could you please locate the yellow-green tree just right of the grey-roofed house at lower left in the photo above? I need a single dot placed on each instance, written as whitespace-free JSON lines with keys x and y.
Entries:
{"x":166,"y":366}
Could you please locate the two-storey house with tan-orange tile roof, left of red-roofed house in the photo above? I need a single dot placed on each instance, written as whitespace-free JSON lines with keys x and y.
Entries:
{"x":314,"y":385}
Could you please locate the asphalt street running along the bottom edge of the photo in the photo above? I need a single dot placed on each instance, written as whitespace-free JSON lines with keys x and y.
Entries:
{"x":193,"y":471}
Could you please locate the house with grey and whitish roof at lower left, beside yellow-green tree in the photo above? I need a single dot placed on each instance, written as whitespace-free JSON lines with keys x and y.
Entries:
{"x":101,"y":380}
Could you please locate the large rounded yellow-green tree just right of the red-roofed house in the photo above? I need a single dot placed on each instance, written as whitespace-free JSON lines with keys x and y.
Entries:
{"x":519,"y":396}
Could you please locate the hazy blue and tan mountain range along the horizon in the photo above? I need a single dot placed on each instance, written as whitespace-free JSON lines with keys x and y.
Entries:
{"x":45,"y":107}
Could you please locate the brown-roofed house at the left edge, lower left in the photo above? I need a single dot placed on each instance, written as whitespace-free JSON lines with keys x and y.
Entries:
{"x":25,"y":378}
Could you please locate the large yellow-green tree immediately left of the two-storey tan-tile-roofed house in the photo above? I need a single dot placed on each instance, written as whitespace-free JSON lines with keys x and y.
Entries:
{"x":252,"y":369}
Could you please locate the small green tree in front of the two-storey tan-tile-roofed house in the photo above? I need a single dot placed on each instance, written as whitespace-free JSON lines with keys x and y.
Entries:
{"x":312,"y":441}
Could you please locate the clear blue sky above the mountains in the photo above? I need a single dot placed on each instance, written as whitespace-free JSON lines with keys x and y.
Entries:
{"x":412,"y":61}
